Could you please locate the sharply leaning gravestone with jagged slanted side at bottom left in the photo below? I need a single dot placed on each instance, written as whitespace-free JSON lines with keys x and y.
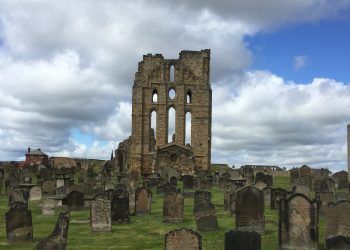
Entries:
{"x":58,"y":238}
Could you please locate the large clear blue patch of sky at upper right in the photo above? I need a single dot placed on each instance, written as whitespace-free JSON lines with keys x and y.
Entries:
{"x":324,"y":46}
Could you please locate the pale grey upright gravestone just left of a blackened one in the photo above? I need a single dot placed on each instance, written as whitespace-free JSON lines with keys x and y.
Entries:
{"x":100,"y":215}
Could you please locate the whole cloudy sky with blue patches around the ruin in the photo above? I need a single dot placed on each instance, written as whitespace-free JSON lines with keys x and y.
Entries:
{"x":280,"y":75}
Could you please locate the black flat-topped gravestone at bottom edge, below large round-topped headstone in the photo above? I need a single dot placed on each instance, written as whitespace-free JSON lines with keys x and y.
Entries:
{"x":242,"y":240}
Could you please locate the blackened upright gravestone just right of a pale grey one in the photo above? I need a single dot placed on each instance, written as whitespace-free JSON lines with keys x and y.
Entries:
{"x":120,"y":208}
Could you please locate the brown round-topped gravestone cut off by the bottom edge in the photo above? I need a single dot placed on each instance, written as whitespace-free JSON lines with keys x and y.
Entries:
{"x":184,"y":239}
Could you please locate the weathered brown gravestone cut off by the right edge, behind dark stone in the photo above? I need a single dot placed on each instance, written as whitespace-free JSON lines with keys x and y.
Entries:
{"x":338,"y":219}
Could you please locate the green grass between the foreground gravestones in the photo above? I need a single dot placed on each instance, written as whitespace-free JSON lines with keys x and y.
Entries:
{"x":145,"y":232}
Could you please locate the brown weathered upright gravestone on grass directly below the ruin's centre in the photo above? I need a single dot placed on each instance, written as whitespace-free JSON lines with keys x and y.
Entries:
{"x":173,"y":207}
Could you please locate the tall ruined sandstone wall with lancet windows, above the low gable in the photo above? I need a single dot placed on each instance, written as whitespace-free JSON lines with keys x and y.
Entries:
{"x":160,"y":85}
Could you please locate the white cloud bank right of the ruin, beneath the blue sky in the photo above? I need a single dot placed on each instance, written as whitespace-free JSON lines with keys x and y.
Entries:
{"x":262,"y":119}
